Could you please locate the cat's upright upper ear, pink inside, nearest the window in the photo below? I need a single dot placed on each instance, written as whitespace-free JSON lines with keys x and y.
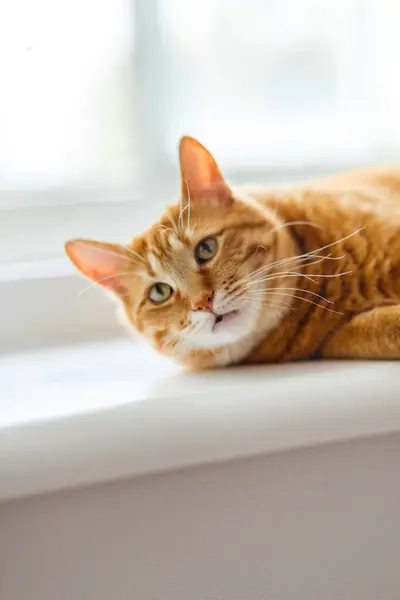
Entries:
{"x":200,"y":174}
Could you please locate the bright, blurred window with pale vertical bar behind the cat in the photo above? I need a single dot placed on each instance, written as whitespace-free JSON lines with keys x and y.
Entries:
{"x":95,"y":94}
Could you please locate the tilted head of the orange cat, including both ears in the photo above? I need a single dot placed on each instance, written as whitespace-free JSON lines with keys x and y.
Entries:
{"x":194,"y":283}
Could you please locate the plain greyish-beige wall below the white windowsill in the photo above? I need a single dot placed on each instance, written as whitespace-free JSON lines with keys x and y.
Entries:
{"x":318,"y":524}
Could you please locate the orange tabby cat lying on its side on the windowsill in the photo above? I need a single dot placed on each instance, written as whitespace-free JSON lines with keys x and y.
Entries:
{"x":227,"y":277}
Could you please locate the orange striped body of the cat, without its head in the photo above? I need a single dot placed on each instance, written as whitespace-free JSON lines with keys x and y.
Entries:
{"x":335,"y":208}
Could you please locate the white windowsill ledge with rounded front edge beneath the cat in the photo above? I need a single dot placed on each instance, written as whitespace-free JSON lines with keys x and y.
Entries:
{"x":97,"y":412}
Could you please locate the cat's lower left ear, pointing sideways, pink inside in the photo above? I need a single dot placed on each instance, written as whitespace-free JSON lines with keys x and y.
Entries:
{"x":105,"y":264}
